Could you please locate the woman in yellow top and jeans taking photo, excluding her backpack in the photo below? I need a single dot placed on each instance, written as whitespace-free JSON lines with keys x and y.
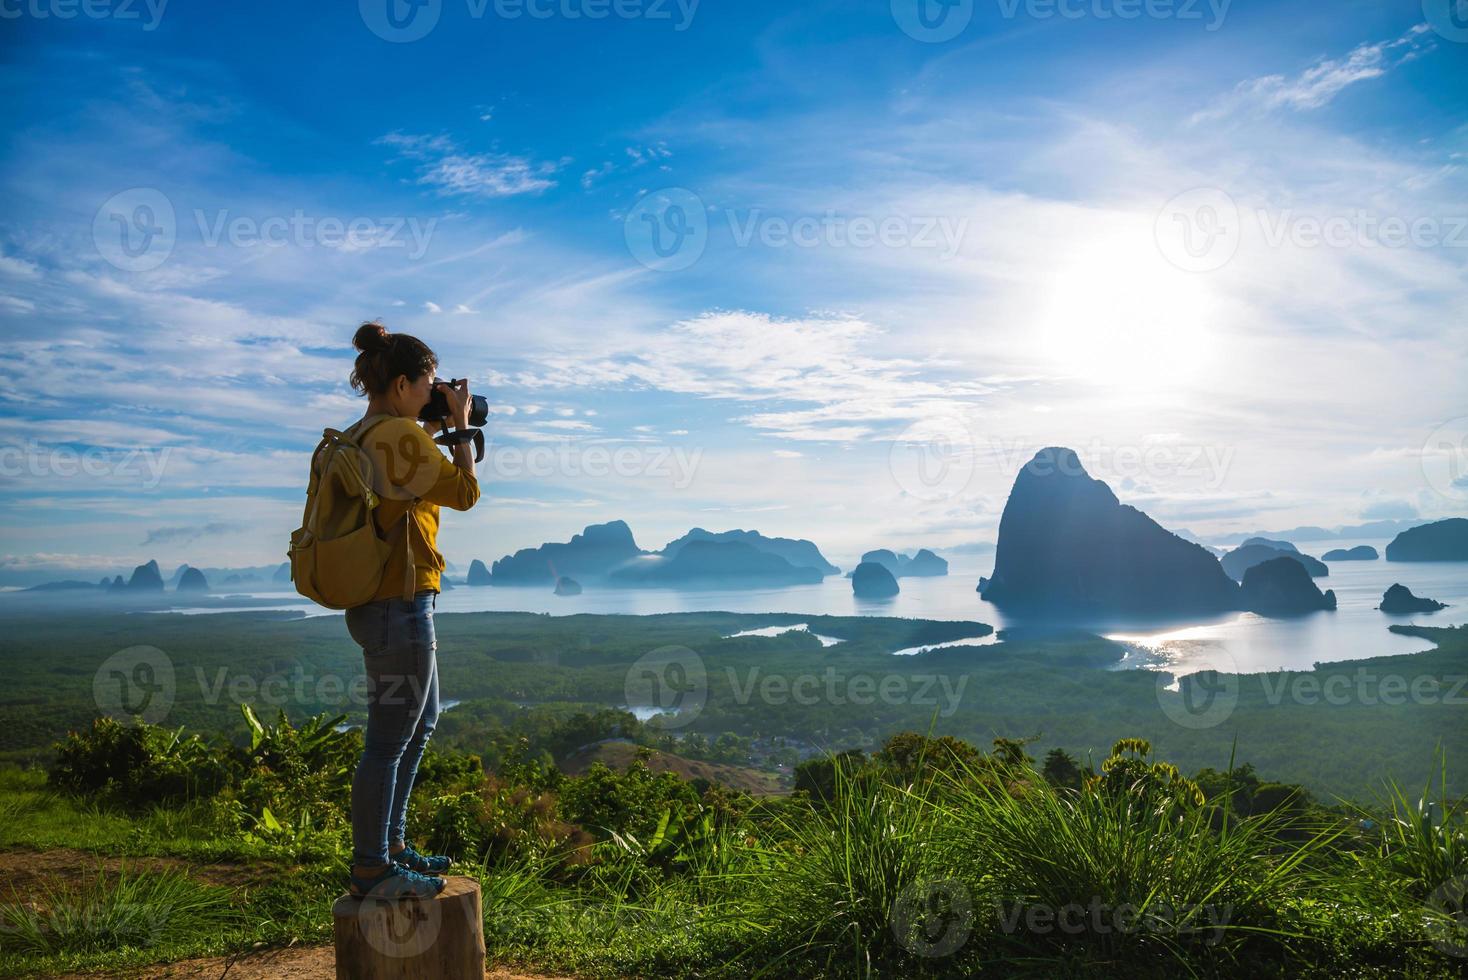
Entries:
{"x":413,"y":480}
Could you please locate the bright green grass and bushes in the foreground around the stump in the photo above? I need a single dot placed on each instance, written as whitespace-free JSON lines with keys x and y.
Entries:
{"x":927,"y":859}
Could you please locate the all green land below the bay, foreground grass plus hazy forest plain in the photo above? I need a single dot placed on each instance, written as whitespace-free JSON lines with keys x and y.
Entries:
{"x":974,"y":816}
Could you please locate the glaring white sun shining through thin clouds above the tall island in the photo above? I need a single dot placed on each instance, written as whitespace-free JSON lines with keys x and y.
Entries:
{"x":1118,"y":315}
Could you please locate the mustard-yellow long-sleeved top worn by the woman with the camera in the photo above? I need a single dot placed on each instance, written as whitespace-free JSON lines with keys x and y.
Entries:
{"x":407,"y":466}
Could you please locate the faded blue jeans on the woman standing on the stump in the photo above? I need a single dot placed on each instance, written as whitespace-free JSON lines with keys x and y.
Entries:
{"x":403,"y":708}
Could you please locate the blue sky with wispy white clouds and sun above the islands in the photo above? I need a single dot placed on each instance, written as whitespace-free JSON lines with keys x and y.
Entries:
{"x":829,"y":269}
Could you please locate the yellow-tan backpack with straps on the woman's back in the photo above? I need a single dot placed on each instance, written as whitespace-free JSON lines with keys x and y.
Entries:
{"x":337,"y":558}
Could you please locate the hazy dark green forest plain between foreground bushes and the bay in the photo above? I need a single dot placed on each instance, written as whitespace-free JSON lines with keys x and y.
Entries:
{"x":522,"y":680}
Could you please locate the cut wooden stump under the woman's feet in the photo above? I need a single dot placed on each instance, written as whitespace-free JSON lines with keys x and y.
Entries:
{"x":412,"y":940}
